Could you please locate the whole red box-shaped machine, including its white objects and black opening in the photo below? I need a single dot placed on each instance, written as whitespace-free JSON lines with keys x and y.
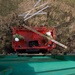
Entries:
{"x":28,"y":41}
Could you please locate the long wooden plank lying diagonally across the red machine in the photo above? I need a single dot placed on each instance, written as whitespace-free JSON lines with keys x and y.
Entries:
{"x":47,"y":37}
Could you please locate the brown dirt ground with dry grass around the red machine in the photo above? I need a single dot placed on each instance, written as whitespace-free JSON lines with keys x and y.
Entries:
{"x":60,"y":14}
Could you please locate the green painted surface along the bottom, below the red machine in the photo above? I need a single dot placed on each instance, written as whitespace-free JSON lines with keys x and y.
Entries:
{"x":37,"y":65}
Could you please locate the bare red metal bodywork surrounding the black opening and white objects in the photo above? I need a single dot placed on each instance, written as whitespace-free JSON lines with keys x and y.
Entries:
{"x":31,"y":36}
